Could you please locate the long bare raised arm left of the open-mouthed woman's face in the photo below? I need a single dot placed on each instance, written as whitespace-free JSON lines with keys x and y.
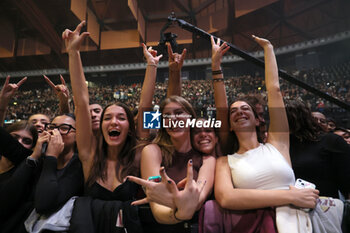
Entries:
{"x":84,"y":135}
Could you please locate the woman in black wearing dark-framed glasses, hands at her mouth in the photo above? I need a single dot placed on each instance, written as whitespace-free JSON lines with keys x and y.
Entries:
{"x":62,"y":175}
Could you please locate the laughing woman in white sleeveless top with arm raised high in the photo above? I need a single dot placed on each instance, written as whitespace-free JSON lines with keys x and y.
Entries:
{"x":256,"y":175}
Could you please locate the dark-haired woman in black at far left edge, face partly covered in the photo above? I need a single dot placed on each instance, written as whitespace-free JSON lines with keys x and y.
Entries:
{"x":17,"y":175}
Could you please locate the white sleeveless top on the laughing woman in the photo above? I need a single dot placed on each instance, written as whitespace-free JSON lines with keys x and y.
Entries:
{"x":263,"y":167}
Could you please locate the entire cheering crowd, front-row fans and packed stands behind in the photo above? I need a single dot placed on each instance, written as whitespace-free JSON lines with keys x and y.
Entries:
{"x":95,"y":167}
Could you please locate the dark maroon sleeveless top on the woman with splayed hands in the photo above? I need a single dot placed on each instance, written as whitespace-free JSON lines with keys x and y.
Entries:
{"x":178,"y":169}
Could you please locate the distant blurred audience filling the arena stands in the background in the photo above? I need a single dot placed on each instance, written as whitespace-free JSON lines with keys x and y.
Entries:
{"x":331,"y":80}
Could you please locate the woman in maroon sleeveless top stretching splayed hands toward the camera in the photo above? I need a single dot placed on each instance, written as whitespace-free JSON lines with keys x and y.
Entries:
{"x":175,"y":211}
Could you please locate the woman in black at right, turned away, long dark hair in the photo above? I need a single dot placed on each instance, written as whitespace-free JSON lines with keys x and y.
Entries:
{"x":317,"y":157}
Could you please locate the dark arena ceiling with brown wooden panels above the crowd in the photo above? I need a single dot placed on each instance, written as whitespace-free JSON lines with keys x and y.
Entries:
{"x":31,"y":29}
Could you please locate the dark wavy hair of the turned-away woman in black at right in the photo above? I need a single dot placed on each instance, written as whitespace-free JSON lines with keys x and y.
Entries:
{"x":301,"y":123}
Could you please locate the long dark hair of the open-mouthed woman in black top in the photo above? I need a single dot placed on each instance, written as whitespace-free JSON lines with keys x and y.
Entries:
{"x":125,"y":158}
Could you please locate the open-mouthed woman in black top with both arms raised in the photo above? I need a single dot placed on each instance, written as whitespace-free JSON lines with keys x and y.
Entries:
{"x":107,"y":162}
